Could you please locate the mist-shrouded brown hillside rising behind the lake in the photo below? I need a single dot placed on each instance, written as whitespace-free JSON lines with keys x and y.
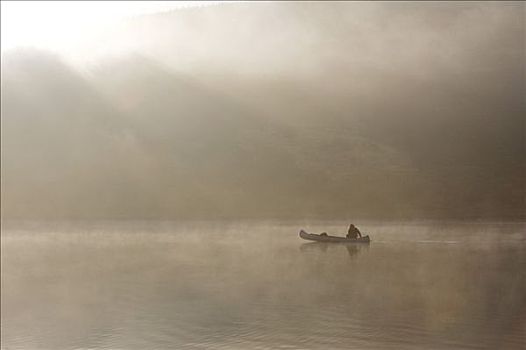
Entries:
{"x":286,"y":111}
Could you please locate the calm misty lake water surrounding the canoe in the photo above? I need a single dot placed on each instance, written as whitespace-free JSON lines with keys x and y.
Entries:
{"x":165,"y":285}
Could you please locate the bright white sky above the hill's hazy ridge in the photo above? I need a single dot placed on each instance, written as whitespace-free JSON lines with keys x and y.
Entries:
{"x":65,"y":25}
